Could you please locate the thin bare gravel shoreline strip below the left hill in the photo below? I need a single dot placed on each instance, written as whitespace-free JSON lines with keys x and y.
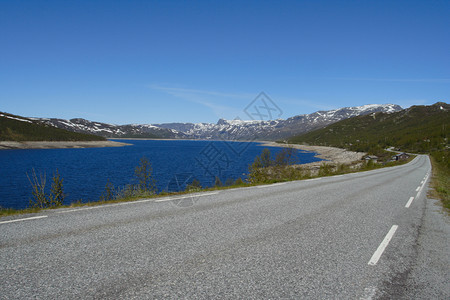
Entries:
{"x":59,"y":145}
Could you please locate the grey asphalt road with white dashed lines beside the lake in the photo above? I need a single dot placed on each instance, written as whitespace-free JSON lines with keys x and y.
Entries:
{"x":341,"y":237}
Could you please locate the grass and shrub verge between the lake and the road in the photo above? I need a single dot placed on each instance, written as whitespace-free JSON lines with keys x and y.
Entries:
{"x":266,"y":175}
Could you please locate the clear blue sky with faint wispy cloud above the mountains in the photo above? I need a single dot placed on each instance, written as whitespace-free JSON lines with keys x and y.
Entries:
{"x":197,"y":61}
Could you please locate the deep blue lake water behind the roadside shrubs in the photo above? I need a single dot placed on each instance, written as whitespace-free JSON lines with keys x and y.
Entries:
{"x":86,"y":171}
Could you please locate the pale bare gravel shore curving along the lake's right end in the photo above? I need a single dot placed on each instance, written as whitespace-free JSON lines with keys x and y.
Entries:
{"x":330,"y":154}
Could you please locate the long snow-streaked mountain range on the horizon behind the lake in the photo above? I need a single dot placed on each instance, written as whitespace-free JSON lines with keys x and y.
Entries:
{"x":224,"y":129}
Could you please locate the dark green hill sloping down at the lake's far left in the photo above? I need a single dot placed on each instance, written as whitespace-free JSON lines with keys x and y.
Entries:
{"x":19,"y":129}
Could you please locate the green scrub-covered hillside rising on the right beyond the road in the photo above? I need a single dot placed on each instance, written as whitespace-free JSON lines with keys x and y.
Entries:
{"x":416,"y":129}
